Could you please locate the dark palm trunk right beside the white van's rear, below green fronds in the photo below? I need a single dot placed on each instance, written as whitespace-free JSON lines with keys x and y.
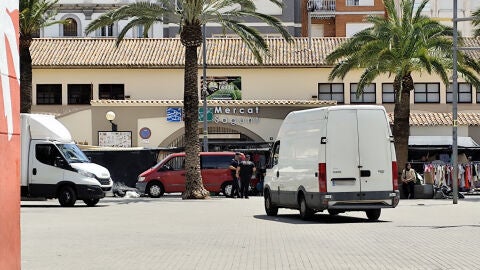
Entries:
{"x":401,"y":125}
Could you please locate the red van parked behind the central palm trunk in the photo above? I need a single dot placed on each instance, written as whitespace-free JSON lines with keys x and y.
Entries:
{"x":168,"y":176}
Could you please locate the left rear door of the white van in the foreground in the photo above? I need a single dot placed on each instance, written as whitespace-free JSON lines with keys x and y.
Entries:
{"x":342,"y":152}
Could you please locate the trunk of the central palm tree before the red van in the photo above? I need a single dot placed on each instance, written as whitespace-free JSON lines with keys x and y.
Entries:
{"x":193,"y":183}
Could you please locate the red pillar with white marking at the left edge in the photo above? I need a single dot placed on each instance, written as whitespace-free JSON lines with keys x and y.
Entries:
{"x":9,"y":137}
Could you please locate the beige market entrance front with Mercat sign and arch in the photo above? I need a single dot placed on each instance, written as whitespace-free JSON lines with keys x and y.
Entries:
{"x":232,"y":124}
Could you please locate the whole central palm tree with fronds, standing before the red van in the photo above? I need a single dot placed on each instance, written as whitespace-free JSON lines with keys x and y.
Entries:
{"x":190,"y":15}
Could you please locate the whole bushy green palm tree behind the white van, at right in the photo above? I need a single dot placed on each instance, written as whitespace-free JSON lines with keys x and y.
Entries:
{"x":400,"y":45}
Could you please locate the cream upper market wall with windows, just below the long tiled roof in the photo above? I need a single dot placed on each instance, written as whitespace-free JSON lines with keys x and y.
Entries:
{"x":267,"y":83}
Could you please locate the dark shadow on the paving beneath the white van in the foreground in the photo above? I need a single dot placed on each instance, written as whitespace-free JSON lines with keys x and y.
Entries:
{"x":317,"y":218}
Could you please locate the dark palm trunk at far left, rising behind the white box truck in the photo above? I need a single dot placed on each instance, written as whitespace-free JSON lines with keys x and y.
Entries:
{"x":25,"y":76}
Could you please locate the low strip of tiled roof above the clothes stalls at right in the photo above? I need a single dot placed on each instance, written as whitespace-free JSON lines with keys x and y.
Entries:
{"x":441,"y":119}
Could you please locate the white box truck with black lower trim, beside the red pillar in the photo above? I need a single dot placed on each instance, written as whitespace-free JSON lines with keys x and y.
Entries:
{"x":52,"y":166}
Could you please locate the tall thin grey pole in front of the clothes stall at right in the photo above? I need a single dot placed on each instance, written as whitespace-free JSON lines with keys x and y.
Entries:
{"x":454,"y":105}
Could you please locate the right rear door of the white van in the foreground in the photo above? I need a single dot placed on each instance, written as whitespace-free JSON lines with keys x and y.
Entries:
{"x":375,"y":152}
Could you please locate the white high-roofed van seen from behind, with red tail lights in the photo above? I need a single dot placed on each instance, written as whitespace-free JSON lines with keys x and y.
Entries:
{"x":338,"y":158}
